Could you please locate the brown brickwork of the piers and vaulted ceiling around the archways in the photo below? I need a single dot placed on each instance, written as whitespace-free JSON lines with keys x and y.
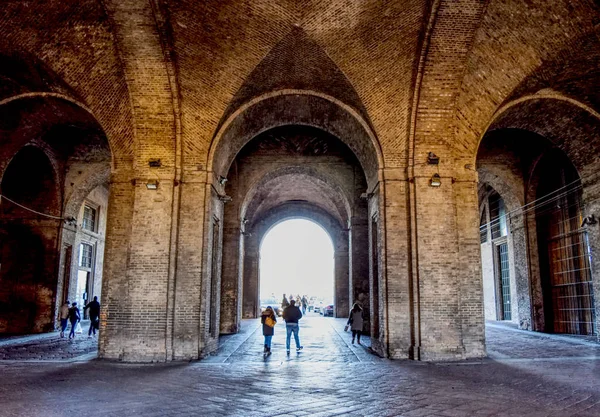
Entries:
{"x":191,"y":83}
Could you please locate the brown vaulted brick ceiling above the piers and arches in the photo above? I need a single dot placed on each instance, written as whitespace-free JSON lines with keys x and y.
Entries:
{"x":430,"y":72}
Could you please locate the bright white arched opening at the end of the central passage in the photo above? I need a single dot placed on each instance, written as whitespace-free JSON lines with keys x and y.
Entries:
{"x":296,"y":258}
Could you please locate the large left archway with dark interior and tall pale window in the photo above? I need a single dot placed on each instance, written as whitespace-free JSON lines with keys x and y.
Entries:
{"x":54,"y":168}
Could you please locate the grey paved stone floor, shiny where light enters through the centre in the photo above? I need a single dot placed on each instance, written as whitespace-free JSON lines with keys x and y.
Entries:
{"x":527,"y":374}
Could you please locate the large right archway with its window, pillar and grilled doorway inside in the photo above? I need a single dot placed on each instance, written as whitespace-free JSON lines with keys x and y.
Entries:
{"x":547,"y":189}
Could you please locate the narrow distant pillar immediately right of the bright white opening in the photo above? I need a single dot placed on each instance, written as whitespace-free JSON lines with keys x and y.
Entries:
{"x":341,"y":278}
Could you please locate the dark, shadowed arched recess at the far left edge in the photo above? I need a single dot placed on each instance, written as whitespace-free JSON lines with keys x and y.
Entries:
{"x":29,"y":186}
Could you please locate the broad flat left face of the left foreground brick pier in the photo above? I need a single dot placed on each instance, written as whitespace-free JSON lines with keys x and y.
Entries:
{"x":134,"y":318}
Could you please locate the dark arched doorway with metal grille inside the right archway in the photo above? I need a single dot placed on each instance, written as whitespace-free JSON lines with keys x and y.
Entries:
{"x":563,"y":247}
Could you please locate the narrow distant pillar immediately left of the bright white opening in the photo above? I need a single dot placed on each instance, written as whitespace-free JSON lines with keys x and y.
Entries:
{"x":250,"y":297}
